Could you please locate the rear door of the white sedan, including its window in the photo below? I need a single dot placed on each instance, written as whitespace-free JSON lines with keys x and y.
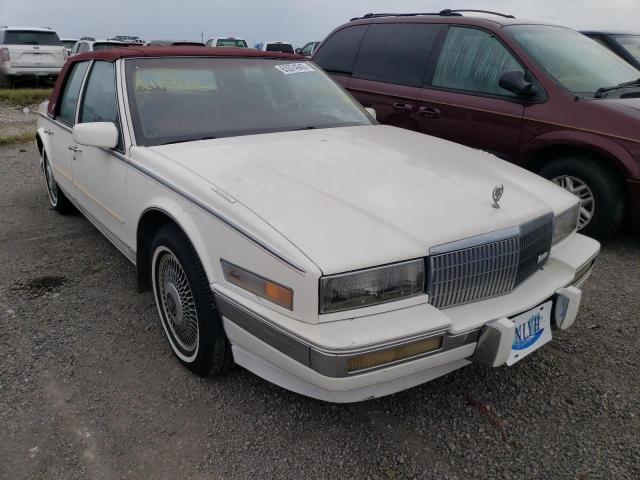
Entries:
{"x":59,"y":130}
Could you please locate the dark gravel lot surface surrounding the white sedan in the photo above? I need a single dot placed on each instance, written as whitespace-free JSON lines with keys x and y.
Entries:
{"x":89,"y":387}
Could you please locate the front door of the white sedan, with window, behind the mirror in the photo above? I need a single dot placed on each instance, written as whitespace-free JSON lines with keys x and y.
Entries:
{"x":98,"y":174}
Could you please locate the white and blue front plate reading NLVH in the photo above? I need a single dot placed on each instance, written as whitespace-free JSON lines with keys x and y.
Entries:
{"x":533,"y":329}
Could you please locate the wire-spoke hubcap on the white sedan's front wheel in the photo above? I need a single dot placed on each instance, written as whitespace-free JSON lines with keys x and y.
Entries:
{"x":178,"y":304}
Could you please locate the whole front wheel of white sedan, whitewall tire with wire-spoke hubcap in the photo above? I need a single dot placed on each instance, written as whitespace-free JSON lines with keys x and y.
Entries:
{"x":186,"y":305}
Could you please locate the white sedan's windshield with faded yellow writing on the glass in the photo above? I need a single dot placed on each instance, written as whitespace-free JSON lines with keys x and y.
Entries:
{"x":182,"y":99}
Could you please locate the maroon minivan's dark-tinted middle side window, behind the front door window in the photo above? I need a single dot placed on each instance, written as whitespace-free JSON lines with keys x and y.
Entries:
{"x":396,"y":53}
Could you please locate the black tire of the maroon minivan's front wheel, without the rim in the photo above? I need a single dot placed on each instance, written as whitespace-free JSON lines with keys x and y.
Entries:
{"x":609,"y":201}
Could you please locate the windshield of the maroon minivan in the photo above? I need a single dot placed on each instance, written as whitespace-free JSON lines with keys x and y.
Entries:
{"x":576,"y":62}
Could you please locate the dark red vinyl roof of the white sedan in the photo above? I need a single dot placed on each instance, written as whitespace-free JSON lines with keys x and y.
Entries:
{"x":170,"y":51}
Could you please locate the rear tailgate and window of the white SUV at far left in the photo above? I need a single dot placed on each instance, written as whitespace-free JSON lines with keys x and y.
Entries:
{"x":34,"y":48}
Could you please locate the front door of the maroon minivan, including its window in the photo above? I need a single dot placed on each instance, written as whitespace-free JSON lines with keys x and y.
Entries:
{"x":462,"y":100}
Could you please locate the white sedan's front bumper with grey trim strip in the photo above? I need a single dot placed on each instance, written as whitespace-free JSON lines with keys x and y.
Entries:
{"x":314,"y":359}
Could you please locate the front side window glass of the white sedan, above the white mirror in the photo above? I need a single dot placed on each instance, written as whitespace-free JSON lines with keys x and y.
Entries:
{"x":100,"y":102}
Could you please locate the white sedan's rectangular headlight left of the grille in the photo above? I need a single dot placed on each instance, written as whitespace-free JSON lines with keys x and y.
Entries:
{"x":372,"y":286}
